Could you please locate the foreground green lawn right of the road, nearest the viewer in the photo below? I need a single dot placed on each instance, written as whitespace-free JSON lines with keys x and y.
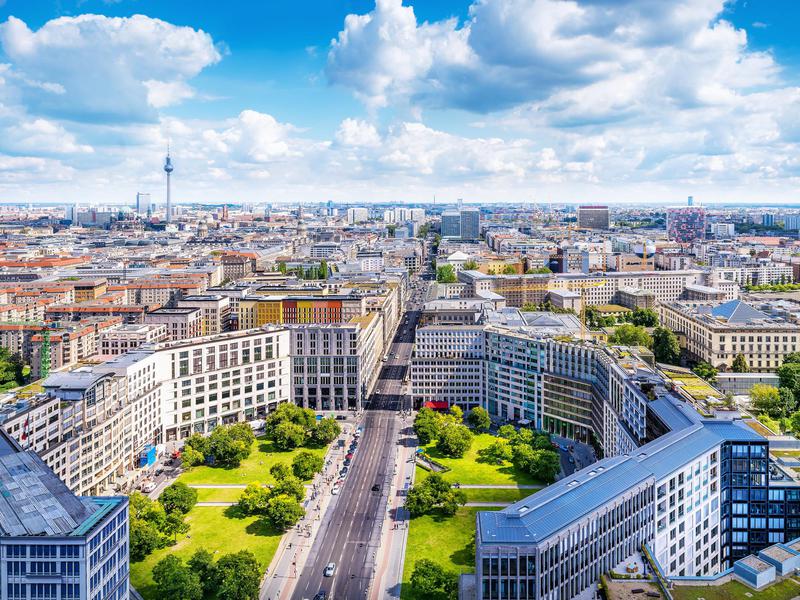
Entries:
{"x":445,"y":540}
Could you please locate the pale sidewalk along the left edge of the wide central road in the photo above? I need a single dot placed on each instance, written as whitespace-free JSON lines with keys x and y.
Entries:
{"x":295,"y":545}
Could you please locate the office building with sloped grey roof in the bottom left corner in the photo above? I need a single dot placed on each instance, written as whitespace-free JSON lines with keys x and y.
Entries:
{"x":53,"y":544}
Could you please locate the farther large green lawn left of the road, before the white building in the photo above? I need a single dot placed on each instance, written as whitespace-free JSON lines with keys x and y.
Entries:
{"x":254,"y":469}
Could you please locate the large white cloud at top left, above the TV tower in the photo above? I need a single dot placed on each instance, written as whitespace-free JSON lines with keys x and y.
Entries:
{"x":101,"y":69}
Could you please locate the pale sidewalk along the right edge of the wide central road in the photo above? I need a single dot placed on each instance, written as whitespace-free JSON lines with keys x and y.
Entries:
{"x":394,"y":536}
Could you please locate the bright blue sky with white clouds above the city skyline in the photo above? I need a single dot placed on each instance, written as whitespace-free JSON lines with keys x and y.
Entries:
{"x":270,"y":101}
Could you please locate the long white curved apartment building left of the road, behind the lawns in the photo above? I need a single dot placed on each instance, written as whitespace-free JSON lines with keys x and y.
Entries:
{"x":93,"y":424}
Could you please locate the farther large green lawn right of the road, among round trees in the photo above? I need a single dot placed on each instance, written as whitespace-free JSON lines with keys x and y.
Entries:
{"x":469,"y":470}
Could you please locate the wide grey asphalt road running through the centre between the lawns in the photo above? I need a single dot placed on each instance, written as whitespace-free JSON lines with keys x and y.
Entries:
{"x":350,"y":532}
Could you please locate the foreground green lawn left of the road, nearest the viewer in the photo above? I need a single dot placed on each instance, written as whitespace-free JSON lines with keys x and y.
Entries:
{"x":218,"y":530}
